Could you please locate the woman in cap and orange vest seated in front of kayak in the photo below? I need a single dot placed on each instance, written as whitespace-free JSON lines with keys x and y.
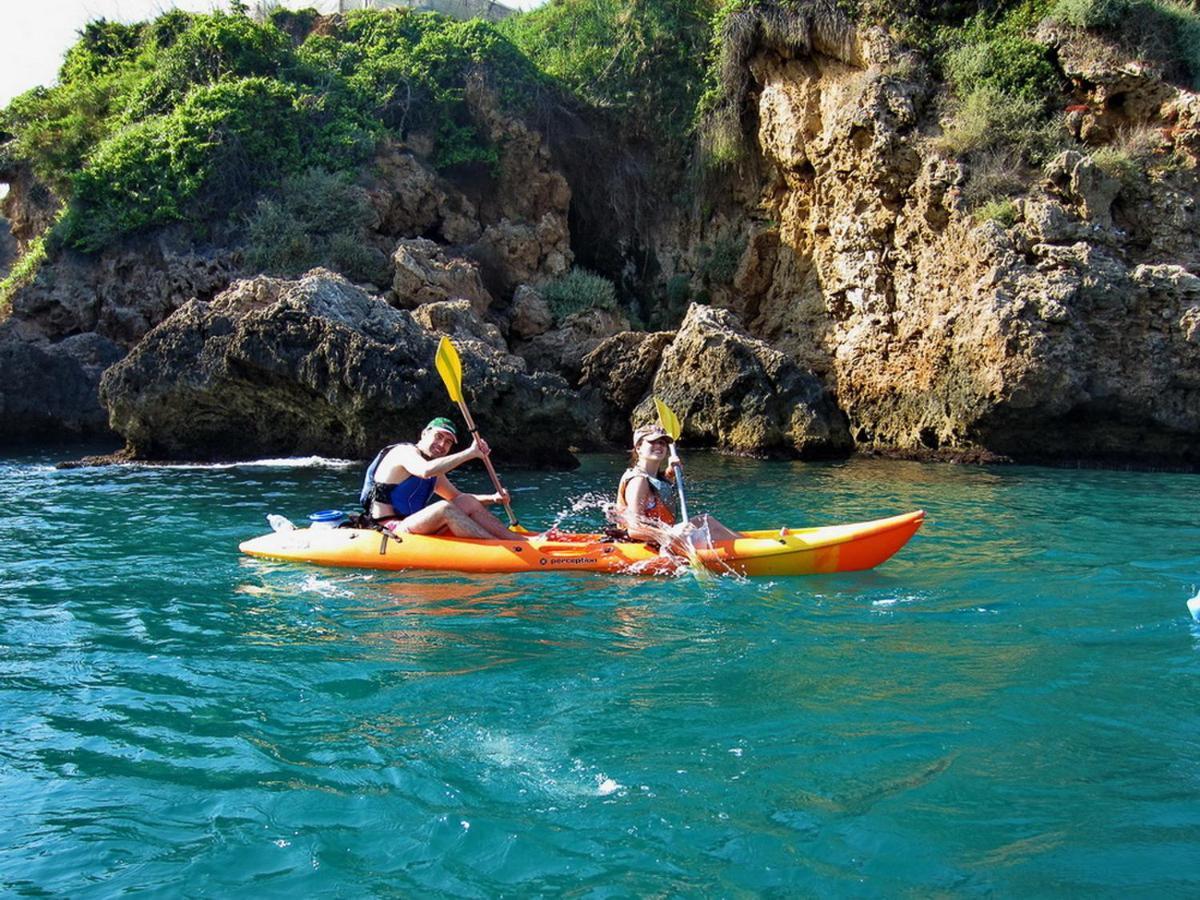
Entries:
{"x":646,"y":494}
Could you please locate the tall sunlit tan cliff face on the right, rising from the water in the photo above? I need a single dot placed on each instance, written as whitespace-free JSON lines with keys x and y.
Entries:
{"x":1040,"y":341}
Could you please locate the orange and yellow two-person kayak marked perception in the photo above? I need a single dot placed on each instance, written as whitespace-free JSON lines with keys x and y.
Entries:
{"x":801,"y":551}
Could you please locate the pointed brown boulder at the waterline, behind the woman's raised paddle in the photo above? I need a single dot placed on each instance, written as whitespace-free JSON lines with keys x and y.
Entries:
{"x":736,"y":393}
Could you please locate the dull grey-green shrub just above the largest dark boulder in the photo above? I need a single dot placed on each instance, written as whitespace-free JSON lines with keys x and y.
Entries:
{"x":317,"y":218}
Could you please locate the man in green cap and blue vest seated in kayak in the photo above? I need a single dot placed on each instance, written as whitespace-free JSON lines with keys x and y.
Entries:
{"x":401,"y":482}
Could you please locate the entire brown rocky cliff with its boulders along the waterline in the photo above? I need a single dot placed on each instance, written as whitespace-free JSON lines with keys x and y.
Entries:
{"x":853,"y":295}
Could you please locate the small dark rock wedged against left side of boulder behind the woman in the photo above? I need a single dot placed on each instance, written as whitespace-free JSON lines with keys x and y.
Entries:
{"x":617,"y":375}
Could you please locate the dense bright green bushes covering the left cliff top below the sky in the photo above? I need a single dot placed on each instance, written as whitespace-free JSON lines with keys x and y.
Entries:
{"x":189,"y":117}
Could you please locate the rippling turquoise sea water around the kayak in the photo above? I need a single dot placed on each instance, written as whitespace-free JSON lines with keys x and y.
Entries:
{"x":1007,"y":707}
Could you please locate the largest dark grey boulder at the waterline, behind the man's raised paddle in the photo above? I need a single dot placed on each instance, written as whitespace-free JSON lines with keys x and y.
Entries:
{"x":317,"y":367}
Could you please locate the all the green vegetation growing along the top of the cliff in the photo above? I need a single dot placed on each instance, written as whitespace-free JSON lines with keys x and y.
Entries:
{"x":202,"y":119}
